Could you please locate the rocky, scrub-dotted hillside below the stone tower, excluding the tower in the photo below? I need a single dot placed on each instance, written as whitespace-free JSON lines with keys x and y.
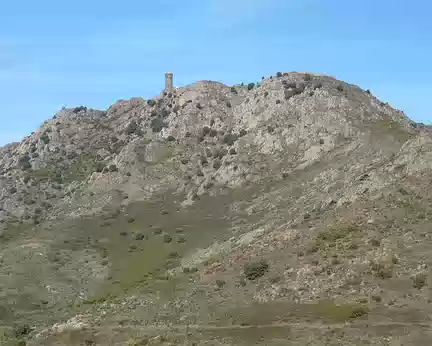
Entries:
{"x":292,"y":211}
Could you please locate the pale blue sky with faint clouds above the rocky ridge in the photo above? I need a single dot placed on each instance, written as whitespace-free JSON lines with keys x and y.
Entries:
{"x":93,"y":53}
